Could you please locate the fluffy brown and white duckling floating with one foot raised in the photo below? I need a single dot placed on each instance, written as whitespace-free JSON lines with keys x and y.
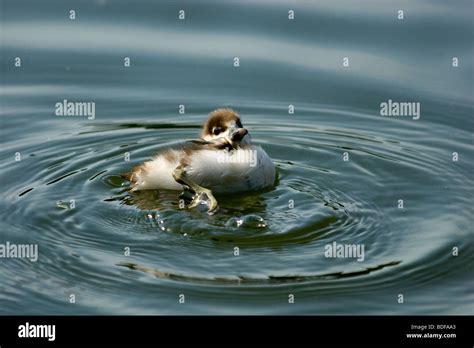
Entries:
{"x":223,"y":160}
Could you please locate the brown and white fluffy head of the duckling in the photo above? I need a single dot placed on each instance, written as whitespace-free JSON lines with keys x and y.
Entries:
{"x":225,"y":124}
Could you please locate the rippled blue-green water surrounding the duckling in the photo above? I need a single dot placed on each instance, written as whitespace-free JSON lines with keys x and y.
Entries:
{"x":408,"y":251}
